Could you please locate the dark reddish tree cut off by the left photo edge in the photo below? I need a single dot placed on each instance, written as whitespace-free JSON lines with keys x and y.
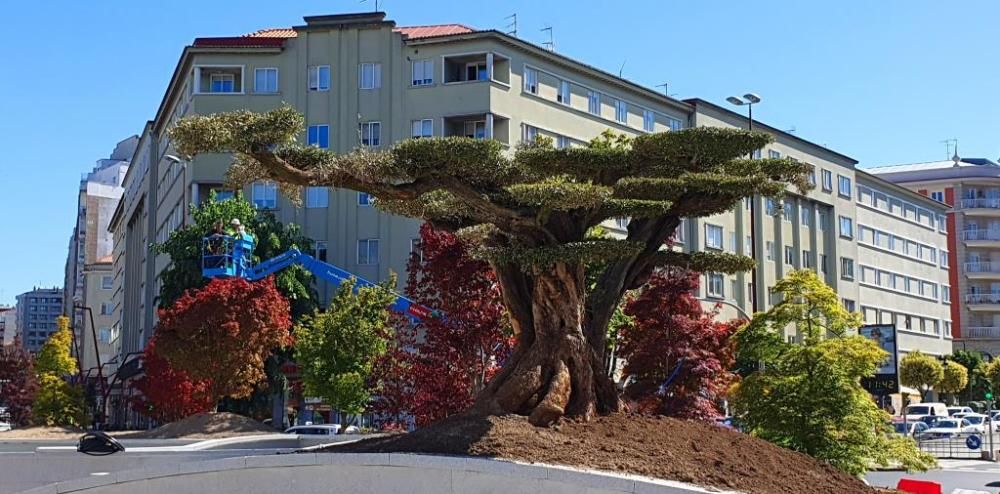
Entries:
{"x":17,"y":383}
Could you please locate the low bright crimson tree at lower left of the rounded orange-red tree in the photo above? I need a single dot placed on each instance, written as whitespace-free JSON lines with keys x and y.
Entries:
{"x":168,"y":394}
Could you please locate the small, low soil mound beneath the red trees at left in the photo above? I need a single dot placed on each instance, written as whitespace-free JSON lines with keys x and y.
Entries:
{"x":206,"y":426}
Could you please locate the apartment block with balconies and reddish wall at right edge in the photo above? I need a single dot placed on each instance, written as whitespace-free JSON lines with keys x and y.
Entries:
{"x":971,"y":189}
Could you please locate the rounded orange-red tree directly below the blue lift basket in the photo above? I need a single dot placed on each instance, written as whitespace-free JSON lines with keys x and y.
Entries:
{"x":222,"y":334}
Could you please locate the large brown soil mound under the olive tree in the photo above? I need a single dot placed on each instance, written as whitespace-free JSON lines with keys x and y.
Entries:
{"x":694,"y":452}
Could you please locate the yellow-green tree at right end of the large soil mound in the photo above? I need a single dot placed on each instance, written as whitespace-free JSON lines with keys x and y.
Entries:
{"x":808,"y":397}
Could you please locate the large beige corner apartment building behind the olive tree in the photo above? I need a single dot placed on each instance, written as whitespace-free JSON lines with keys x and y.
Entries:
{"x":362,"y":81}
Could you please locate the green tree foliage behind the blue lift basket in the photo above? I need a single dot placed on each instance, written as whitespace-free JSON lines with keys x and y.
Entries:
{"x":272,"y":238}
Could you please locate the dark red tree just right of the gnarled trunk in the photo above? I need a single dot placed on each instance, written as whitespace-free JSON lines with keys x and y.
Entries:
{"x":670,"y":329}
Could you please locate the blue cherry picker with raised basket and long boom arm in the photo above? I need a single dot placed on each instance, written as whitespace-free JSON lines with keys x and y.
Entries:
{"x":228,"y":256}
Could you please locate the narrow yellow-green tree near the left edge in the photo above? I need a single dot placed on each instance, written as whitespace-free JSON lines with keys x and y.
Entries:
{"x":58,"y":402}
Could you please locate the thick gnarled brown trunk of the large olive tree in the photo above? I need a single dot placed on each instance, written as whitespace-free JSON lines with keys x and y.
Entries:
{"x":554,"y":370}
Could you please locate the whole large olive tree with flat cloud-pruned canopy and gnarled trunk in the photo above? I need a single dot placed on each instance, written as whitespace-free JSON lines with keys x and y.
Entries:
{"x":529,"y":213}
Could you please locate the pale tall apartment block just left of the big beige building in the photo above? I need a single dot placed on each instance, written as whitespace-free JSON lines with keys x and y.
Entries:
{"x":88,"y":281}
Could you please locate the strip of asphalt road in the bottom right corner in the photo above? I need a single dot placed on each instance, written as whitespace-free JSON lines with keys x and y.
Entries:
{"x":954,"y":474}
